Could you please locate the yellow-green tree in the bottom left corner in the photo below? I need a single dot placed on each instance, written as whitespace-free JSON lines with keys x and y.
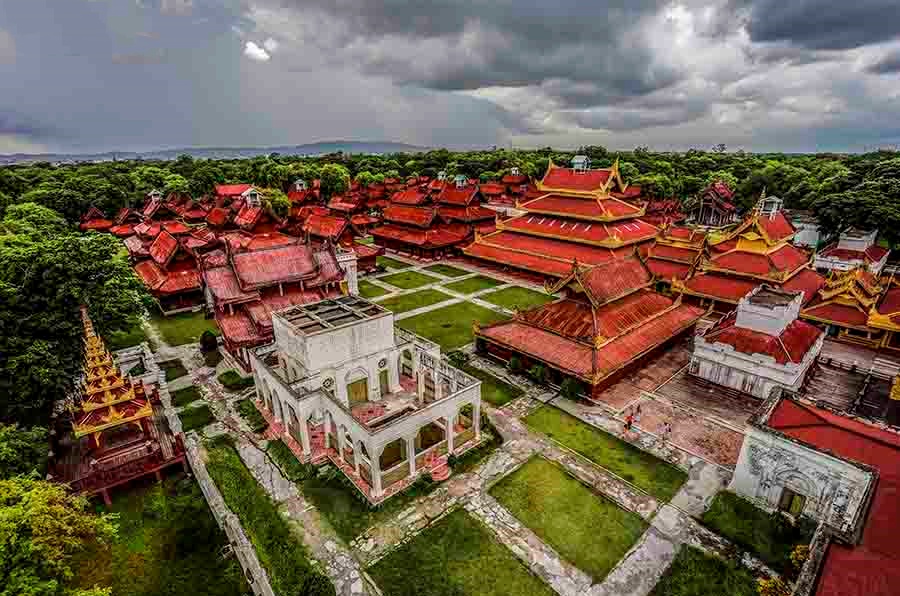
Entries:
{"x":43,"y":529}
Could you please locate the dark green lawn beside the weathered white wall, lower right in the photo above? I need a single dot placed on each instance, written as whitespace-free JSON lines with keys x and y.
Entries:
{"x":770,"y":537}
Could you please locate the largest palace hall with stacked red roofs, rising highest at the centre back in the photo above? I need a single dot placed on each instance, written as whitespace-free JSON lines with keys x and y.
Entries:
{"x":578,"y":215}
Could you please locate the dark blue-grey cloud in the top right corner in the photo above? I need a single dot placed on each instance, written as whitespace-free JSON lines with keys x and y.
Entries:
{"x":823,"y":24}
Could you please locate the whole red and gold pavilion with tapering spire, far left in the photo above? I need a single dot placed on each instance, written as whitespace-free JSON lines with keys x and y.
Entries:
{"x":119,"y":432}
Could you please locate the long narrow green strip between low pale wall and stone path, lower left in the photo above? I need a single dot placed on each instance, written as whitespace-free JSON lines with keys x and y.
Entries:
{"x":284,"y":556}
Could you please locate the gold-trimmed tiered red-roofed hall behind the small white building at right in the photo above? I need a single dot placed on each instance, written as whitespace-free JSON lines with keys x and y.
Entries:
{"x":757,"y":251}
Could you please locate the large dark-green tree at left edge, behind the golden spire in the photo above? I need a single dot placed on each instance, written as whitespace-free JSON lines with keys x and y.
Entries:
{"x":46,"y":272}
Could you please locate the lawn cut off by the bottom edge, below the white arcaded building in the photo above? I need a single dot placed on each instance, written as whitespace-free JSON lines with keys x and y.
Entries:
{"x":457,"y":556}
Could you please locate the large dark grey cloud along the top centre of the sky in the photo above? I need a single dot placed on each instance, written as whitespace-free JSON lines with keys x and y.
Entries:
{"x":455,"y":45}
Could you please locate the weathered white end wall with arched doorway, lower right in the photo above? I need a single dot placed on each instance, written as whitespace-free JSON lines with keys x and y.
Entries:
{"x":835,"y":490}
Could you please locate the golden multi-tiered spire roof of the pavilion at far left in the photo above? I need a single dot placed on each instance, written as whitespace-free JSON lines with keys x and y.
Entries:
{"x":108,"y":398}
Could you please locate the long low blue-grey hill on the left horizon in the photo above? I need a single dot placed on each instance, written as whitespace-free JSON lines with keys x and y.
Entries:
{"x":320,"y":148}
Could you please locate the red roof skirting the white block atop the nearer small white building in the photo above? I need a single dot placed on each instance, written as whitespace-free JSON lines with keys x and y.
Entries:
{"x":791,"y":346}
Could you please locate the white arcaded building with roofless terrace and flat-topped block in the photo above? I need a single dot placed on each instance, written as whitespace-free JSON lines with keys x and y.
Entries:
{"x":341,"y":383}
